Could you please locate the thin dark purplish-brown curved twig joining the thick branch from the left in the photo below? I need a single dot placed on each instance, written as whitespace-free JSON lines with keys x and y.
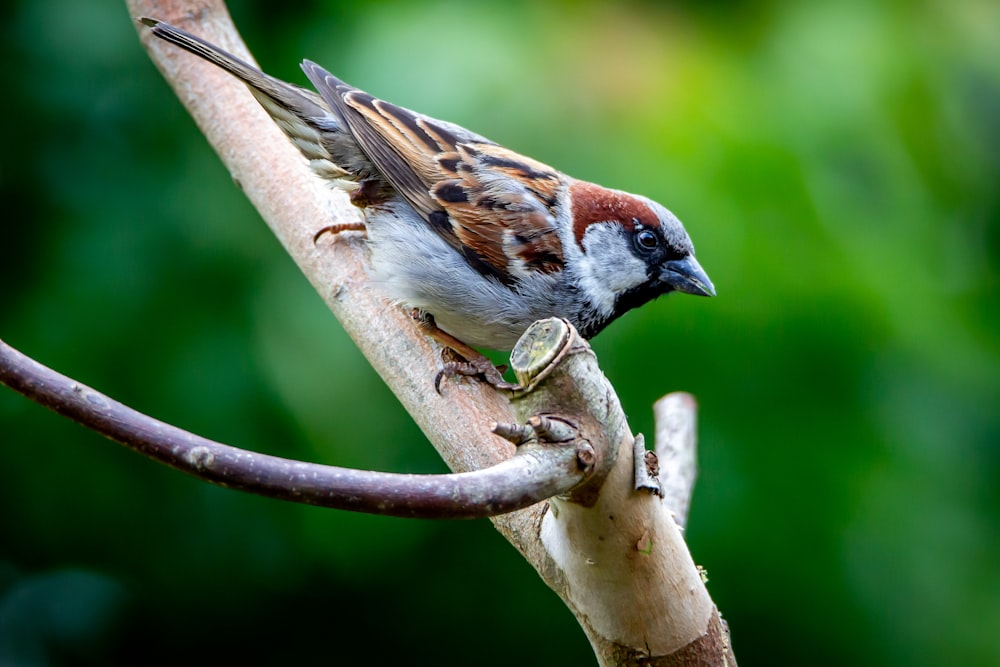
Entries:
{"x":536,"y":472}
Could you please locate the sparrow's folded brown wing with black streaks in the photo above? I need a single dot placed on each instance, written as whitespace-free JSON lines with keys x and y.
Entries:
{"x":499,"y":205}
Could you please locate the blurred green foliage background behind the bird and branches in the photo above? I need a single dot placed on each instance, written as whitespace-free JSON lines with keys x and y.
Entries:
{"x":837,"y":165}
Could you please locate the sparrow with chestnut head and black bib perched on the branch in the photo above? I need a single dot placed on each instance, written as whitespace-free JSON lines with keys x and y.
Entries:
{"x":479,"y":240}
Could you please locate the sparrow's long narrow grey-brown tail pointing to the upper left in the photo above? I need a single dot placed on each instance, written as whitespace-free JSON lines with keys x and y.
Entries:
{"x":301,"y":114}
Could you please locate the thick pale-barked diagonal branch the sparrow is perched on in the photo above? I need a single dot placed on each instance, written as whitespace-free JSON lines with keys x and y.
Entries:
{"x":613,"y":553}
